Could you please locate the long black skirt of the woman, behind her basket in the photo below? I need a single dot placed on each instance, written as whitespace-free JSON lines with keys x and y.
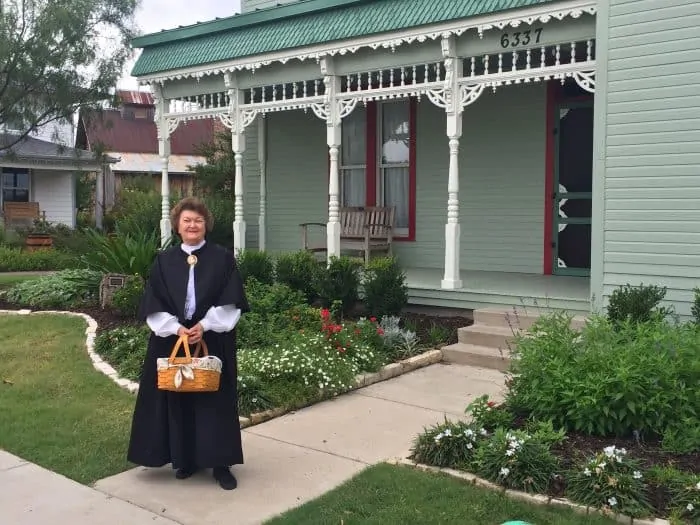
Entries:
{"x":187,"y":429}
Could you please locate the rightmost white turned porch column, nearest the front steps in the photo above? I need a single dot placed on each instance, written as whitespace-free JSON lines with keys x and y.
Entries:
{"x":453,"y":66}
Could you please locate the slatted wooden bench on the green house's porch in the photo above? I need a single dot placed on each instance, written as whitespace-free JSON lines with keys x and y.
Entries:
{"x":362,"y":229}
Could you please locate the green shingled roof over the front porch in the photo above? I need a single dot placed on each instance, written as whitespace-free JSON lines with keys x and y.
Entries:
{"x":299,"y":24}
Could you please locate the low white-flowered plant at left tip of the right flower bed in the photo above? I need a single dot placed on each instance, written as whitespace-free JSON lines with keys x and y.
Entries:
{"x":448,"y":444}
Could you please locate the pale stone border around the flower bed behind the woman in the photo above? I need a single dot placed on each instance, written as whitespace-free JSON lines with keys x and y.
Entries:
{"x":389,"y":371}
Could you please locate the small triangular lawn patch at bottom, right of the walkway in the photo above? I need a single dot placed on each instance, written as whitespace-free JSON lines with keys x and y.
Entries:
{"x":386,"y":494}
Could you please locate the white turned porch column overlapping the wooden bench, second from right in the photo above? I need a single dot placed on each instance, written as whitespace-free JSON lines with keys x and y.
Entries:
{"x":333,"y":138}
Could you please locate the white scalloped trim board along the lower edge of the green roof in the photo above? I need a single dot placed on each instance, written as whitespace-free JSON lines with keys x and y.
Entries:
{"x":540,"y":13}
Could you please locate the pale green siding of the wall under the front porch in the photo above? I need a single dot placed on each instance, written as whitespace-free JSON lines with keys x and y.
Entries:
{"x":502,"y":177}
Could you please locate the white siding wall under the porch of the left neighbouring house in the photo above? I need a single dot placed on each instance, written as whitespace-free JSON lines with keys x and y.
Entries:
{"x":55,"y":193}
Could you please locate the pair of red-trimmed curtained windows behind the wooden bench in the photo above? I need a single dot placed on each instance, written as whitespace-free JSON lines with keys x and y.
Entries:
{"x":377,"y":164}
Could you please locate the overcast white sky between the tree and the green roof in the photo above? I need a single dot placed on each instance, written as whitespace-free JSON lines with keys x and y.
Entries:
{"x":154,"y":15}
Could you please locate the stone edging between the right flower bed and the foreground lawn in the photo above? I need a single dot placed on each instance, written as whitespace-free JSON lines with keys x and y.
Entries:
{"x":538,"y":499}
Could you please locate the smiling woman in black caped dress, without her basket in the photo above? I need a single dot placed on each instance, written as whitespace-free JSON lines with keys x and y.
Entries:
{"x":195,"y":290}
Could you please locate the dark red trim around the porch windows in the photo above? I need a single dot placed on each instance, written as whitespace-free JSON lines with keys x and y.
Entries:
{"x":373,"y":165}
